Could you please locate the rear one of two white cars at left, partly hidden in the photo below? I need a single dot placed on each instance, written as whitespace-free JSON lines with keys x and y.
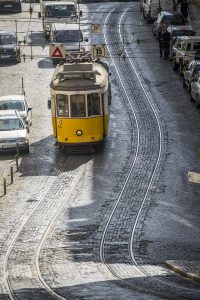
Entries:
{"x":17,"y":102}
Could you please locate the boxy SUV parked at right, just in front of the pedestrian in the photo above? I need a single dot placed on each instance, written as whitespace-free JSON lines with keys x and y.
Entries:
{"x":184,"y":50}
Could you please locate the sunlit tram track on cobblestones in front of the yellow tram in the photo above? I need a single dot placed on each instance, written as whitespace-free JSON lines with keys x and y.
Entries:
{"x":33,"y":231}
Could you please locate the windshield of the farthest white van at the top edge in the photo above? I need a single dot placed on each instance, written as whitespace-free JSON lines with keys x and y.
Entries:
{"x":59,"y":11}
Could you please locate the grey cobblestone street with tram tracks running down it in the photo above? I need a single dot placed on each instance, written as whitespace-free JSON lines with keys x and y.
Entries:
{"x":102,"y":225}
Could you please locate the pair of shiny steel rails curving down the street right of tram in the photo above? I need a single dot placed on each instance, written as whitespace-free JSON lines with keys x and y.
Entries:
{"x":101,"y":249}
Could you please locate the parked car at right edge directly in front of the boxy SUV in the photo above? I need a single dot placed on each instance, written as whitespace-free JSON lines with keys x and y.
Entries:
{"x":190,"y":73}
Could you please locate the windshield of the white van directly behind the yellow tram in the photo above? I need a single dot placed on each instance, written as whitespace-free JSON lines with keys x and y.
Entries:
{"x":64,"y":36}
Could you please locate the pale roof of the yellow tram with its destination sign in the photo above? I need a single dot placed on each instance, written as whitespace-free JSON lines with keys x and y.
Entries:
{"x":80,"y":77}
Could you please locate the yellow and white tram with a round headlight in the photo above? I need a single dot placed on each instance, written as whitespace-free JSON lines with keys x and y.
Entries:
{"x":80,"y":98}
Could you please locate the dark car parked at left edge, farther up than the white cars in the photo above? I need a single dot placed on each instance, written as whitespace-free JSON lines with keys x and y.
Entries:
{"x":9,"y":47}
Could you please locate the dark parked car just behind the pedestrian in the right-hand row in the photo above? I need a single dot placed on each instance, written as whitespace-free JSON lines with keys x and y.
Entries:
{"x":165,"y":19}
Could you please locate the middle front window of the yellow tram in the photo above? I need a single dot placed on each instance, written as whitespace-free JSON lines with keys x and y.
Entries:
{"x":78,"y":108}
